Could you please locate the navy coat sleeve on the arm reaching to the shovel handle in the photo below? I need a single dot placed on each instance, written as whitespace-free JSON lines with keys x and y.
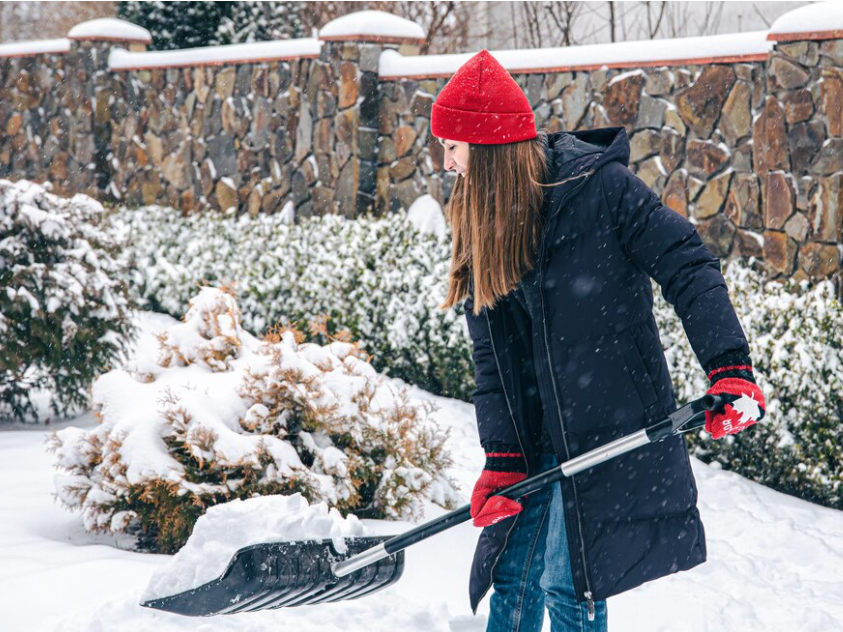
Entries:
{"x":666,"y":246}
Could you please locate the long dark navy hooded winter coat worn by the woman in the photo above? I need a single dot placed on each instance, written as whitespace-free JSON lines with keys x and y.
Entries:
{"x":586,"y":359}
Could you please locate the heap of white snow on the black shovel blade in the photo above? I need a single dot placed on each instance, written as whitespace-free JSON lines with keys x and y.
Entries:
{"x":226,"y":528}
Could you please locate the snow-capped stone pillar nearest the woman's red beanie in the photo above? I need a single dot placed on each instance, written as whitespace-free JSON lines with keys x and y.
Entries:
{"x":352,"y":48}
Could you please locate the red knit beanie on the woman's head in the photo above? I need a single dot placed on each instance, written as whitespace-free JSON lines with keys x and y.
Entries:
{"x":482,"y":104}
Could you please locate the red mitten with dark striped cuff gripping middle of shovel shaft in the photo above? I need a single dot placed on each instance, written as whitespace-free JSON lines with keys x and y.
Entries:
{"x":504,"y":467}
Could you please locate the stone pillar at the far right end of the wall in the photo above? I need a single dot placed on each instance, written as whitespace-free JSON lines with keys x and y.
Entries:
{"x":798,"y":151}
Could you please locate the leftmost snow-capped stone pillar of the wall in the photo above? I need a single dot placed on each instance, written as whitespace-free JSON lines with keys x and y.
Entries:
{"x":90,"y":123}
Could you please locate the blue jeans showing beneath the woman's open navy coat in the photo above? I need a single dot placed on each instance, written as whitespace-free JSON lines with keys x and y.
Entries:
{"x":534,"y":571}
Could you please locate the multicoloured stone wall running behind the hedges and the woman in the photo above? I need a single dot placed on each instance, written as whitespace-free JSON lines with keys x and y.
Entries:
{"x":748,"y":146}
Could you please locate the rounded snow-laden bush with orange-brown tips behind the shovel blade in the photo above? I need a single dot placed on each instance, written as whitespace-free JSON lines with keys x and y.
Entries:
{"x":236,"y":417}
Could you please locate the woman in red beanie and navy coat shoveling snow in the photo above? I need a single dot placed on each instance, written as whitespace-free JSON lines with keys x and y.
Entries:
{"x":554,"y":245}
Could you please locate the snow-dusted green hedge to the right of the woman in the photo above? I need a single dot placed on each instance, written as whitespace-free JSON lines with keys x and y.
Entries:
{"x":796,"y":339}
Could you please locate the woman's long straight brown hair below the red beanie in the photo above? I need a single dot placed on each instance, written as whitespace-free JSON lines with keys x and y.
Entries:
{"x":496,"y":220}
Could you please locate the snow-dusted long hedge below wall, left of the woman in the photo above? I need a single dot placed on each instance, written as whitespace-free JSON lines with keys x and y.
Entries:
{"x":380,"y":279}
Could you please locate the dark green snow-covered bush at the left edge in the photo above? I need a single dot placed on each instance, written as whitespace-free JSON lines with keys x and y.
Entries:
{"x":63,"y":311}
